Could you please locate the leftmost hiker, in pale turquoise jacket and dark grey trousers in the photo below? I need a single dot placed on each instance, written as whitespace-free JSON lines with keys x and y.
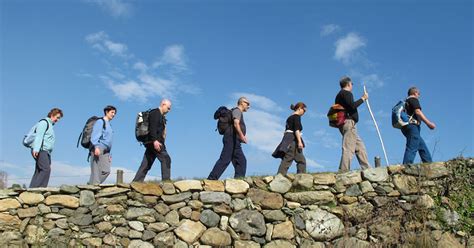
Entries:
{"x":42,"y":147}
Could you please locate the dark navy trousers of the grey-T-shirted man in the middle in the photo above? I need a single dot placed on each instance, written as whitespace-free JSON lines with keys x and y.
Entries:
{"x":231,"y":152}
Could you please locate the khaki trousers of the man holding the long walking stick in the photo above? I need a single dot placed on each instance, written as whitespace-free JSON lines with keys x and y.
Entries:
{"x":351,"y":143}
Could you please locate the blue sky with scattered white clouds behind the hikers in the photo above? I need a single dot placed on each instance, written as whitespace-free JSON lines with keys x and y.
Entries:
{"x":82,"y":55}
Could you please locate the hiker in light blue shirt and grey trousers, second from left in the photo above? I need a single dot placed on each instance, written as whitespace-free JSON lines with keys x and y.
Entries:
{"x":101,"y":145}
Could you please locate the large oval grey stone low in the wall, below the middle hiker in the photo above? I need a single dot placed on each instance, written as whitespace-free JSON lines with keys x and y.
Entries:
{"x":248,"y":222}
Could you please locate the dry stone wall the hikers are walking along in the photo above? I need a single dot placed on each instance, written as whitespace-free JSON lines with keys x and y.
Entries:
{"x":376,"y":207}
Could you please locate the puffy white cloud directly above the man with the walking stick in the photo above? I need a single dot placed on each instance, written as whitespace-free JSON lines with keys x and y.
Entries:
{"x":347,"y":47}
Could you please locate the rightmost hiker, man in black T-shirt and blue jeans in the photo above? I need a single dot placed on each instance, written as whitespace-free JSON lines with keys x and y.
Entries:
{"x":412,"y":130}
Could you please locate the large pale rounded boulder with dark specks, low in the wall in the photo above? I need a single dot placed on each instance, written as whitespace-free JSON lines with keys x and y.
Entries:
{"x":322,"y":225}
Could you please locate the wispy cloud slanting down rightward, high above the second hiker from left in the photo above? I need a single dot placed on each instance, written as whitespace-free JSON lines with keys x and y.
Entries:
{"x":102,"y":42}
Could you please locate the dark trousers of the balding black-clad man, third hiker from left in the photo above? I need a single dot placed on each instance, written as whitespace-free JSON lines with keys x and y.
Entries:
{"x":149,"y":157}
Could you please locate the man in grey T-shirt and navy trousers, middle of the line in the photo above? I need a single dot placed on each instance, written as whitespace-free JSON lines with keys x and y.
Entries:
{"x":232,"y":139}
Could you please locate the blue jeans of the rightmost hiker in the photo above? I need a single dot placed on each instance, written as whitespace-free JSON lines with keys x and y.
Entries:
{"x":415,"y":144}
